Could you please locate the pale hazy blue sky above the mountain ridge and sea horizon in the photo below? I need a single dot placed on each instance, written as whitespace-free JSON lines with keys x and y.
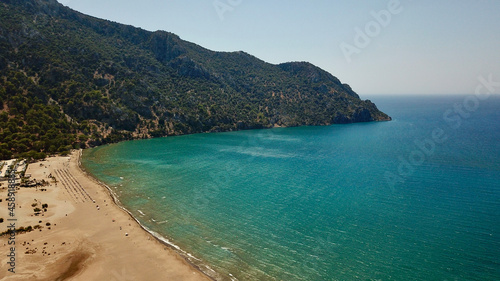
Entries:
{"x":383,"y":47}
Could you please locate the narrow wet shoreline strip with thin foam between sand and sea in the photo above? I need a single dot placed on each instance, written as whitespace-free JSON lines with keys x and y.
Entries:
{"x":165,"y":241}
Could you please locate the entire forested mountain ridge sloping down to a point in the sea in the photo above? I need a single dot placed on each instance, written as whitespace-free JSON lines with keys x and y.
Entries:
{"x":69,"y":81}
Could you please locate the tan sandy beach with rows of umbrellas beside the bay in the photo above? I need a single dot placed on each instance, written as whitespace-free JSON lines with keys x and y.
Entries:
{"x":82,"y":235}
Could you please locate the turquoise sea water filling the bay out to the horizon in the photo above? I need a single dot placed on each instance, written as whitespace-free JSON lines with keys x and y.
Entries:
{"x":343,"y":202}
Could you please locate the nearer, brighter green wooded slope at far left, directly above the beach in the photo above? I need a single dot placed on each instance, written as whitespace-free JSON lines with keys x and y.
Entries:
{"x":31,"y":128}
